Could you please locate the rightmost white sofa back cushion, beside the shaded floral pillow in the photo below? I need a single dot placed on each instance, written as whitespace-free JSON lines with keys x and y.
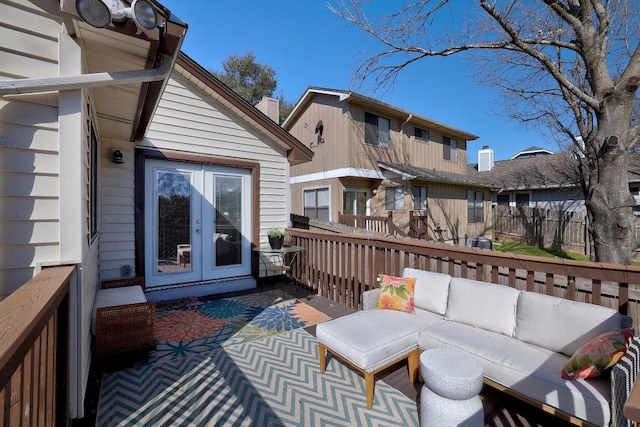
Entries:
{"x":561,"y":325}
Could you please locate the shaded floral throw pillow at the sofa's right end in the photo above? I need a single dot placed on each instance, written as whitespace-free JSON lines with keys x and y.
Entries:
{"x":600,"y":353}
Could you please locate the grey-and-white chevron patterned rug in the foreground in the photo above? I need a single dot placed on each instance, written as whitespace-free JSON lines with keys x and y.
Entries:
{"x":272,"y":381}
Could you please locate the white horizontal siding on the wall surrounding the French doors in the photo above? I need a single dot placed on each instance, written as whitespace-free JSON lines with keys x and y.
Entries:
{"x":188,"y":120}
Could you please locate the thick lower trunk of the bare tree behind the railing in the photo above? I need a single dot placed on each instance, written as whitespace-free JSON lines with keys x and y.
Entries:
{"x":610,"y":202}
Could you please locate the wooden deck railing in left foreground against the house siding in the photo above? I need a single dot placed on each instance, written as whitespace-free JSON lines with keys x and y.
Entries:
{"x":34,"y":351}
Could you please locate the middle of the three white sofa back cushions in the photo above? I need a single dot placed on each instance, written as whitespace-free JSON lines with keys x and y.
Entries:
{"x":483,"y":305}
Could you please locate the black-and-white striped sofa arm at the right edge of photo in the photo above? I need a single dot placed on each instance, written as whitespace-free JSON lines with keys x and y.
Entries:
{"x":624,"y":375}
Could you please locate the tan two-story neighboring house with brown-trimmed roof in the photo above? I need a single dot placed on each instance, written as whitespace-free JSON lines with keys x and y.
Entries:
{"x":371,"y":158}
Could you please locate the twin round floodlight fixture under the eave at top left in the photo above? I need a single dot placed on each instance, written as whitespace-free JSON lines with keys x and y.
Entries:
{"x":100,"y":13}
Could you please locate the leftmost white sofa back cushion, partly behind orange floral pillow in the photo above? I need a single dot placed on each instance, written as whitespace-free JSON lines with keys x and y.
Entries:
{"x":431,"y":290}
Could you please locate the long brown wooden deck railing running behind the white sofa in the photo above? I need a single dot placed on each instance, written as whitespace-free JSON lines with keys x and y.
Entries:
{"x":341,"y":267}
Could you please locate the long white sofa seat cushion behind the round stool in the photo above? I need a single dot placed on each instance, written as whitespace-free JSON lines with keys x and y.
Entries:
{"x":527,"y":369}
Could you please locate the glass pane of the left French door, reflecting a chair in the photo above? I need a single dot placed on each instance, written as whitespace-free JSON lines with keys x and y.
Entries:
{"x":173,"y":192}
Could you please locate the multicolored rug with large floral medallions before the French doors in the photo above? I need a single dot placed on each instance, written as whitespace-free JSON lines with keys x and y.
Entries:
{"x":199,"y":325}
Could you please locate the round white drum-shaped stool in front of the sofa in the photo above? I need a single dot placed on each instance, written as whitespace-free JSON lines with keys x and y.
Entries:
{"x":449,"y":396}
